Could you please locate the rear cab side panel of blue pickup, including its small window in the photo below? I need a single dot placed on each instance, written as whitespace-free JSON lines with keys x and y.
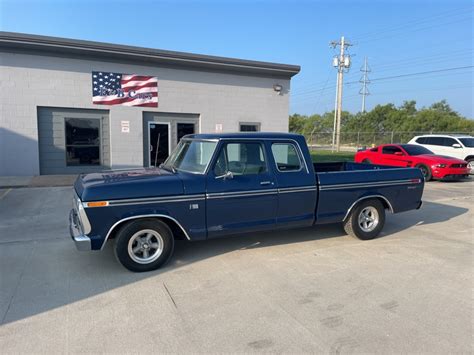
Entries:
{"x":297,"y":193}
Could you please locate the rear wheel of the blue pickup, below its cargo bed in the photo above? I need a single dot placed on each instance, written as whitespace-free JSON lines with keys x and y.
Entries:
{"x":366,"y":220}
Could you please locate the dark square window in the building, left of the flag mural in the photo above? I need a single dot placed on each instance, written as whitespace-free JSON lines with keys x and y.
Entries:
{"x":82,"y":141}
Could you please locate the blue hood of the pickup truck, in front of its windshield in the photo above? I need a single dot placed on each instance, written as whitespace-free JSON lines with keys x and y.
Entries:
{"x":125,"y":184}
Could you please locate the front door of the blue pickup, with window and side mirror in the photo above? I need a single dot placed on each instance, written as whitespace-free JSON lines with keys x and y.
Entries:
{"x":241,"y":192}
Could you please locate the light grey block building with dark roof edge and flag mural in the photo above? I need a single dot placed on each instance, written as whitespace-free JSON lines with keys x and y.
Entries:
{"x":49,"y":123}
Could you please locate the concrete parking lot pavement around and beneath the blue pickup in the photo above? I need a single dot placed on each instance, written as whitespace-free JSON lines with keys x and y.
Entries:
{"x":310,"y":290}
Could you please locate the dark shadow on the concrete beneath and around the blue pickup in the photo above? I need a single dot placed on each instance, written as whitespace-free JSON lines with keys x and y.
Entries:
{"x":32,"y":286}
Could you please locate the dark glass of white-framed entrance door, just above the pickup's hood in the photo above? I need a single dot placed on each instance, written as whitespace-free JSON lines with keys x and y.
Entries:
{"x":159,"y":139}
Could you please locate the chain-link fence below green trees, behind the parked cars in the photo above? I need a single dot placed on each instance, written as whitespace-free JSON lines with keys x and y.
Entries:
{"x":351,"y":141}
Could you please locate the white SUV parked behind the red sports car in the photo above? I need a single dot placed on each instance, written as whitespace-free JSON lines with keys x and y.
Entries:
{"x":451,"y":145}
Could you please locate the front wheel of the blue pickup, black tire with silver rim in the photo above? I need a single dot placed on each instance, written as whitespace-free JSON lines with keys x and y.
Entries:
{"x":144,"y":245}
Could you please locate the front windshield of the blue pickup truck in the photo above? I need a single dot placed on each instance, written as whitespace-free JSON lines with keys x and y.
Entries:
{"x":191,"y":155}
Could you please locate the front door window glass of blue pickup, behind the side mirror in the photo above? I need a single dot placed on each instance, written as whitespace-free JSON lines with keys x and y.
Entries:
{"x":241,"y":159}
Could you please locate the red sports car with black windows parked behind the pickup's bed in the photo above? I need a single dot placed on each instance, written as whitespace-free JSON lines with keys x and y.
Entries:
{"x":432,"y":166}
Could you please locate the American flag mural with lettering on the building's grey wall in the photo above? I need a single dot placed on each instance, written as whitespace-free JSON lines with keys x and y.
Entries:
{"x":124,"y":89}
